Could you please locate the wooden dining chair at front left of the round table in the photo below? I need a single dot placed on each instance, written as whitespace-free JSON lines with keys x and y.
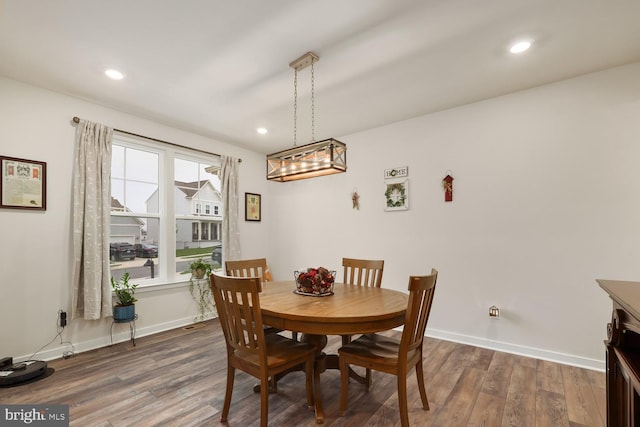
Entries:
{"x":248,"y":348}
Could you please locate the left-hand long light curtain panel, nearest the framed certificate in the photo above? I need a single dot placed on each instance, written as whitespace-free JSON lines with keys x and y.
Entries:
{"x":91,"y":221}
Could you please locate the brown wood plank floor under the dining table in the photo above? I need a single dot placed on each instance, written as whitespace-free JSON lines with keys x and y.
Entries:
{"x":177,"y":378}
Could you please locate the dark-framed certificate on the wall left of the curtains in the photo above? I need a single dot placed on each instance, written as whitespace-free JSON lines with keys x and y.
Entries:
{"x":23,"y":184}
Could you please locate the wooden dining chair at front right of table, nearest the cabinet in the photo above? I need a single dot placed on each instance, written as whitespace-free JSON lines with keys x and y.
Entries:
{"x":395,"y":357}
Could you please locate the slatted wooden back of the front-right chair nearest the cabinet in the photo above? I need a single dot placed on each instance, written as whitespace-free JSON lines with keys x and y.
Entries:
{"x":421,"y":291}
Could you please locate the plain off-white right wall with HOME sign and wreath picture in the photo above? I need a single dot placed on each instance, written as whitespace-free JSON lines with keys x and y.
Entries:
{"x":546,"y":200}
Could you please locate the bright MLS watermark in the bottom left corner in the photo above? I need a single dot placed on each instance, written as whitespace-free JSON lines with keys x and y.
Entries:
{"x":34,"y":415}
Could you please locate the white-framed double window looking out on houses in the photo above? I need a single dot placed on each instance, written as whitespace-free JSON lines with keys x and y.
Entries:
{"x":157,"y":196}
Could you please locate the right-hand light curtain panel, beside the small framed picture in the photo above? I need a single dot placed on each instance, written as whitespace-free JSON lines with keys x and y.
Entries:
{"x":229,"y":186}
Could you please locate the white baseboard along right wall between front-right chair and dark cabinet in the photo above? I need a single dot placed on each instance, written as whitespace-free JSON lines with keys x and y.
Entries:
{"x":537,"y":353}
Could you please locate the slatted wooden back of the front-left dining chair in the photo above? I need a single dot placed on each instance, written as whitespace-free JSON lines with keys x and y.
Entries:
{"x":238,"y":308}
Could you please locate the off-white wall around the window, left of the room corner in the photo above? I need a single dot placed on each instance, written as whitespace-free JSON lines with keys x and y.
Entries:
{"x":35,"y":249}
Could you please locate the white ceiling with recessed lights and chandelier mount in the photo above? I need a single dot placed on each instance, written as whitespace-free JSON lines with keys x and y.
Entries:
{"x":220,"y":68}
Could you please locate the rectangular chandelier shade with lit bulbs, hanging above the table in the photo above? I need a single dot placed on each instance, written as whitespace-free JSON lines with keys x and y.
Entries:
{"x":320,"y":158}
